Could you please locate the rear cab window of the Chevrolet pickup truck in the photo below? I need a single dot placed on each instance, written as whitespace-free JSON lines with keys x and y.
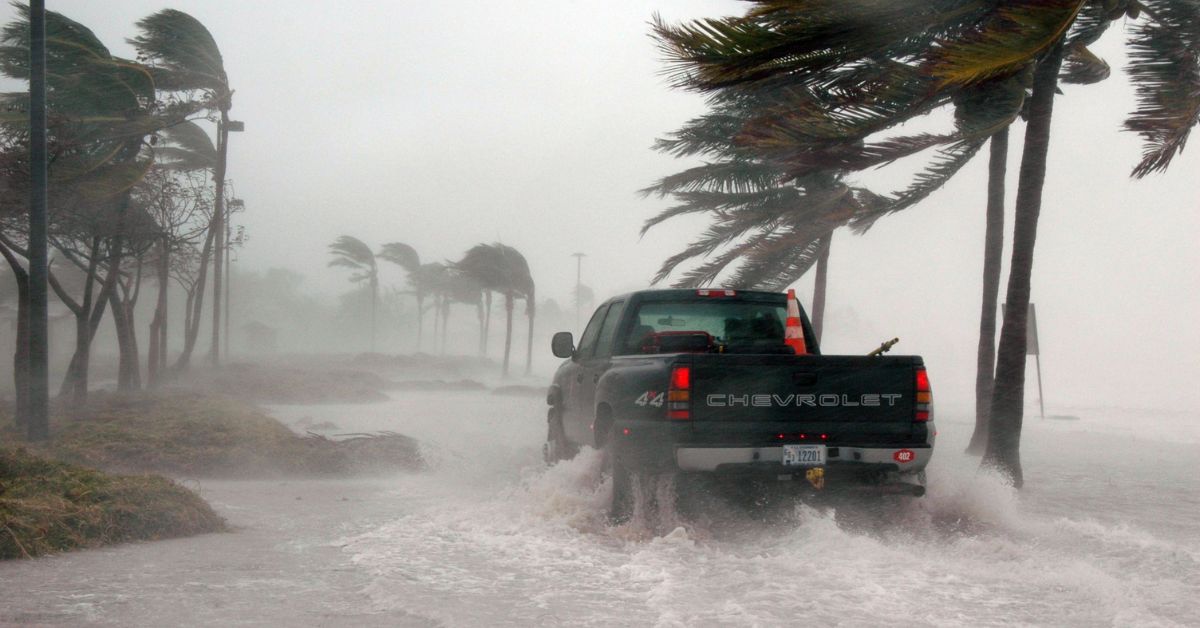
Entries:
{"x":737,"y":327}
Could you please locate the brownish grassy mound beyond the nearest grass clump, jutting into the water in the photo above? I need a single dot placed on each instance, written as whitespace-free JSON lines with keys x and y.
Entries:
{"x":193,"y":434}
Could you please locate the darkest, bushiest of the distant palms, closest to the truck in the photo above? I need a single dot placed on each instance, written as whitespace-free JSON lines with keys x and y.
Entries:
{"x":501,"y":268}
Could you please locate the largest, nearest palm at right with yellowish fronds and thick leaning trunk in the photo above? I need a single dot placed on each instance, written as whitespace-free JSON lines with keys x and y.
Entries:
{"x":917,"y":58}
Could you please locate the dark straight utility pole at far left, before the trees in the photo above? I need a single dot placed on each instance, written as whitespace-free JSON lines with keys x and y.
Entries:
{"x":39,"y":328}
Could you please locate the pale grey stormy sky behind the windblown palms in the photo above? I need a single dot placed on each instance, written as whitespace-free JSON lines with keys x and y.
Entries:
{"x":448,"y":124}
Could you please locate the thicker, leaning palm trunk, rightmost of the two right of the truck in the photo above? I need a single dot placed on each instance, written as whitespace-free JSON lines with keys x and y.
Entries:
{"x":1009,"y":392}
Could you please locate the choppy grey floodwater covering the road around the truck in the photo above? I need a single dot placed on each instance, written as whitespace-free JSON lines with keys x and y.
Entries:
{"x":1106,"y":534}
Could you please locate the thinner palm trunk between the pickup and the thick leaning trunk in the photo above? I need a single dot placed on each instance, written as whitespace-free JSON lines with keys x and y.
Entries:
{"x":993,"y":250}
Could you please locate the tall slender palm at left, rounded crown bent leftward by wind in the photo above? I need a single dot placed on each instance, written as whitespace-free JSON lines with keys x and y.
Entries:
{"x":187,"y":58}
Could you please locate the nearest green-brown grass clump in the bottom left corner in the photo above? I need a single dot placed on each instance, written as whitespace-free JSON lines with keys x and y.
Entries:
{"x":49,"y":507}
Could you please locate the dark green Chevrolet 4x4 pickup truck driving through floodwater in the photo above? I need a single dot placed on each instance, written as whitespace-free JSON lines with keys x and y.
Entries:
{"x":706,"y":382}
